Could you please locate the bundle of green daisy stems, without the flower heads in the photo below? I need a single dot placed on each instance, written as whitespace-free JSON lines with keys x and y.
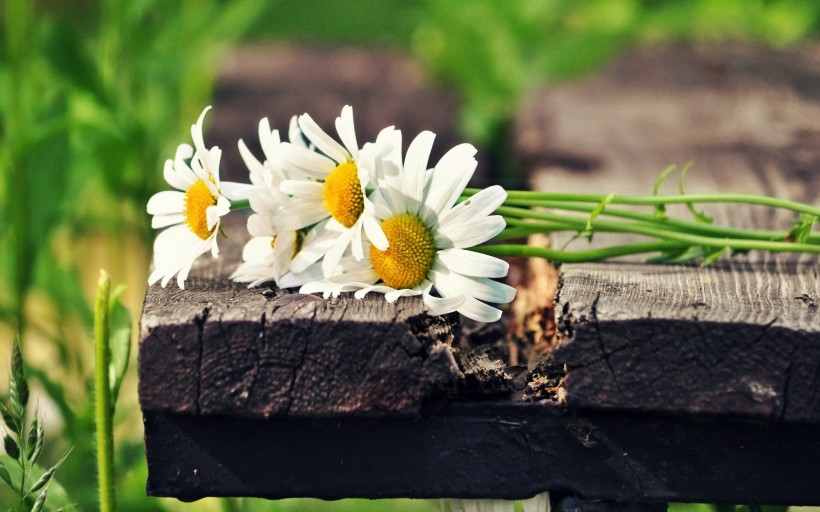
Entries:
{"x":671,"y":240}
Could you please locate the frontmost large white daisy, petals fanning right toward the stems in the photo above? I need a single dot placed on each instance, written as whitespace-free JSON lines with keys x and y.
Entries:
{"x":429,"y":236}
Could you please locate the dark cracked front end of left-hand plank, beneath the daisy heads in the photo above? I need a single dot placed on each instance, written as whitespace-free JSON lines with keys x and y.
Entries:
{"x":218,"y":348}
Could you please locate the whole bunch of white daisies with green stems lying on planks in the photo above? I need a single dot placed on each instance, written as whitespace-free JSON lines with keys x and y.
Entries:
{"x":332,"y":216}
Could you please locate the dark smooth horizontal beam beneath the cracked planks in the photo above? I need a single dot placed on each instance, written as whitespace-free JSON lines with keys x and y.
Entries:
{"x":486,"y":450}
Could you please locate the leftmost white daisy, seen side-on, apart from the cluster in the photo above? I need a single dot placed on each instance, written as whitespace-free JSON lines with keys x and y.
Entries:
{"x":193,"y":211}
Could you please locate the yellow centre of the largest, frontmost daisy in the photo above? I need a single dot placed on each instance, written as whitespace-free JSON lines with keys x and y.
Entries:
{"x":410,"y":255}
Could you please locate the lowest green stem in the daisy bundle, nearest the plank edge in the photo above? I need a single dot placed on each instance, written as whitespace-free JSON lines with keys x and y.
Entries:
{"x":576,"y":256}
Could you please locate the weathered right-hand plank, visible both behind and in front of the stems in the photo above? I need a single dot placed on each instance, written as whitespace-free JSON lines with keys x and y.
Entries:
{"x":742,"y":336}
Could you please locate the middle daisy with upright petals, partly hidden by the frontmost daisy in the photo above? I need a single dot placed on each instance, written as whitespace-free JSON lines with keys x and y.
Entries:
{"x":330,"y":193}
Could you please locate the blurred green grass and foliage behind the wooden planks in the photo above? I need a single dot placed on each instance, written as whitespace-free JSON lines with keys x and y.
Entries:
{"x":96,"y":95}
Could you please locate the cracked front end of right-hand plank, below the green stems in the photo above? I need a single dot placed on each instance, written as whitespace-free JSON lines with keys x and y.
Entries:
{"x":729,"y":339}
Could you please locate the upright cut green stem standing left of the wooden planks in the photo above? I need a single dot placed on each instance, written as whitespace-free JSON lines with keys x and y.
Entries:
{"x":102,"y":408}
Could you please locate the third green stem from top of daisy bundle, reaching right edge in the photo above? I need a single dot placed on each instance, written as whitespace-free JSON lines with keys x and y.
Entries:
{"x":655,"y":232}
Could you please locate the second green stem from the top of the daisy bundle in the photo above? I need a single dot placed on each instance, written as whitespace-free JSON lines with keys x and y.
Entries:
{"x":666,"y":223}
